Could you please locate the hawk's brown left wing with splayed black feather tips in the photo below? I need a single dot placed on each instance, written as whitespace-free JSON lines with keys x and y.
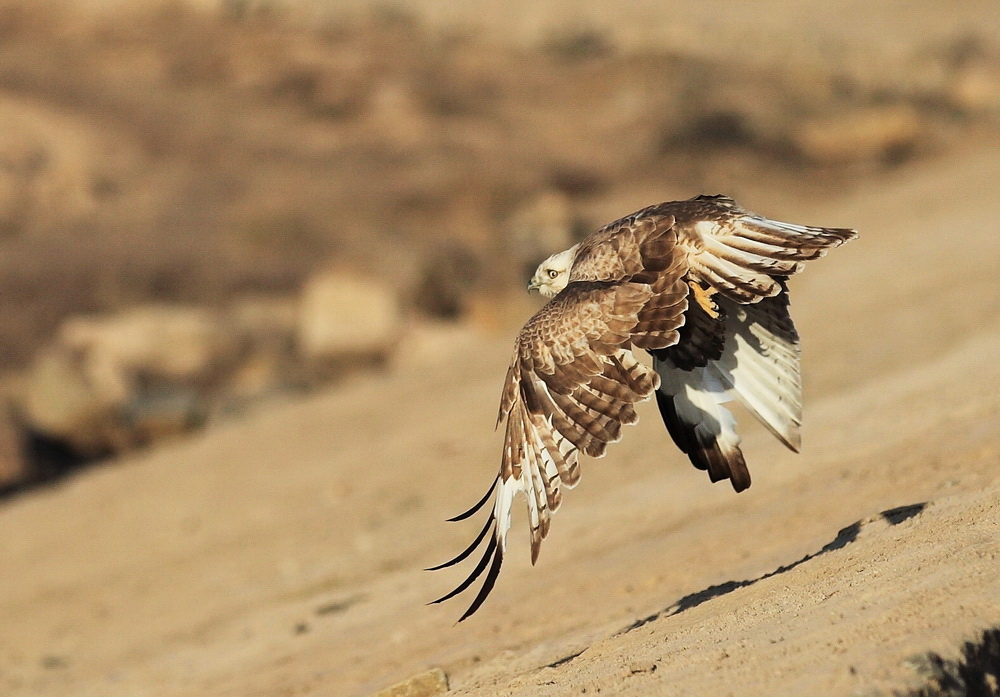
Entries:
{"x":571,"y":386}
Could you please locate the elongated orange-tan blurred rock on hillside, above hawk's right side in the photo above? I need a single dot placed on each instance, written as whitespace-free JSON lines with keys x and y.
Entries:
{"x":875,"y":134}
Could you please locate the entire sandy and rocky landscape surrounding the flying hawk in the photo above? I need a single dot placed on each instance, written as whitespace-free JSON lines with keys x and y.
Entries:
{"x":265,"y":259}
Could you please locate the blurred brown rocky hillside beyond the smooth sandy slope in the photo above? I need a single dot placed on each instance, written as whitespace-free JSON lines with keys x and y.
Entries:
{"x":208,"y":206}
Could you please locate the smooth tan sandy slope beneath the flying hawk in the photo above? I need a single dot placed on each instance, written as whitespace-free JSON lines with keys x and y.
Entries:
{"x":281,"y":556}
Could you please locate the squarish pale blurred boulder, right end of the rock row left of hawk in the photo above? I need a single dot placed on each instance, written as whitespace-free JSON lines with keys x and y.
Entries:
{"x":345,"y":320}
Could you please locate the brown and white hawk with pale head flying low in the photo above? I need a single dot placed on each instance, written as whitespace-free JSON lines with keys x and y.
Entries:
{"x":701,"y":285}
